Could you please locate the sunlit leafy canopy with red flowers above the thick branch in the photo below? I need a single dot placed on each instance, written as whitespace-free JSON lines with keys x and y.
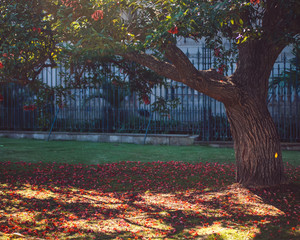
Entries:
{"x":116,"y":27}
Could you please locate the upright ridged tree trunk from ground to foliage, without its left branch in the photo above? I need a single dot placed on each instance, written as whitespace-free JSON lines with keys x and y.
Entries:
{"x":256,"y":141}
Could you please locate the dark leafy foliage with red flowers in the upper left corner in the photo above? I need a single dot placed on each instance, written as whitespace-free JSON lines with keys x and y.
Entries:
{"x":27,"y":42}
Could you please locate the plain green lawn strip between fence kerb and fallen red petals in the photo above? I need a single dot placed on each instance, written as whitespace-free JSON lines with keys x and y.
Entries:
{"x":97,"y":153}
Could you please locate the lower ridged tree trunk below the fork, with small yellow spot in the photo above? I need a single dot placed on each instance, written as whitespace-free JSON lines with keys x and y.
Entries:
{"x":256,"y":143}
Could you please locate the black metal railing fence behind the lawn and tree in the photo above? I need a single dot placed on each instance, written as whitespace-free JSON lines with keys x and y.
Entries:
{"x":108,"y":108}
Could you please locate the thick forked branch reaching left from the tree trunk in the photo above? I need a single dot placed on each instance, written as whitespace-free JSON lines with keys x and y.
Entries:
{"x":182,"y":70}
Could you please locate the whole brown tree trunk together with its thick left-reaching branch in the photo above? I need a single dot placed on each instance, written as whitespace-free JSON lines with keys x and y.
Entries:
{"x":244,"y":94}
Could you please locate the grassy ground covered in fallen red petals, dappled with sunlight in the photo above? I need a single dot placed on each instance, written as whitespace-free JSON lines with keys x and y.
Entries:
{"x":134,"y":200}
